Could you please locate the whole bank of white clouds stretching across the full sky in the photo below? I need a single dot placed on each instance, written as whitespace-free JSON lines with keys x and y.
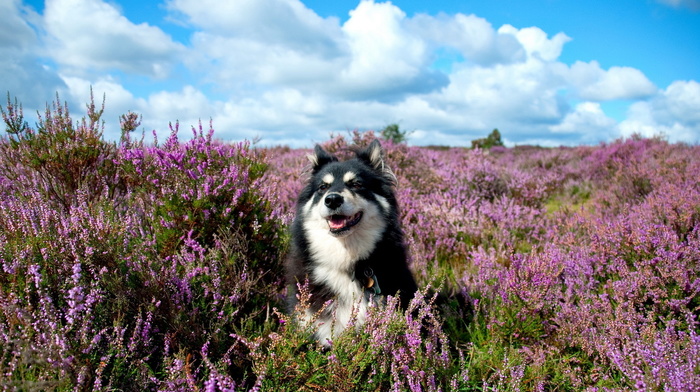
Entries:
{"x":276,"y":69}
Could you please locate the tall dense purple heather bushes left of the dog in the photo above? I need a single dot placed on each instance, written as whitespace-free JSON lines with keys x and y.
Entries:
{"x":130,"y":270}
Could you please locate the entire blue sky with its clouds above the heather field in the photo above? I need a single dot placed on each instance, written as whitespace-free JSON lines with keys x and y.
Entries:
{"x":546,"y":72}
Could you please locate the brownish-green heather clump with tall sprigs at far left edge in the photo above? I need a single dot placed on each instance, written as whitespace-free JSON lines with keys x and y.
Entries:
{"x":63,"y":157}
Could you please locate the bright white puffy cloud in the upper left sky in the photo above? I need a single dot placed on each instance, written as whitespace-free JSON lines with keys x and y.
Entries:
{"x":92,"y":34}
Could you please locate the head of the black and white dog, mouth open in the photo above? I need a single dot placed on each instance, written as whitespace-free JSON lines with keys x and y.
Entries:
{"x":346,"y":196}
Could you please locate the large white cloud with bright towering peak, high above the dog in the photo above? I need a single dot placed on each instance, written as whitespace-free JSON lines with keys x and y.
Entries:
{"x":372,"y":55}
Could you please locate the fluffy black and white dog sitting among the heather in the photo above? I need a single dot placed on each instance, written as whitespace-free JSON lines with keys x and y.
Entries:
{"x":347,"y":240}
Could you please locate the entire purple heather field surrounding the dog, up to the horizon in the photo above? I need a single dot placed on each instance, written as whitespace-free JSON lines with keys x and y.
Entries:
{"x":150,"y":264}
